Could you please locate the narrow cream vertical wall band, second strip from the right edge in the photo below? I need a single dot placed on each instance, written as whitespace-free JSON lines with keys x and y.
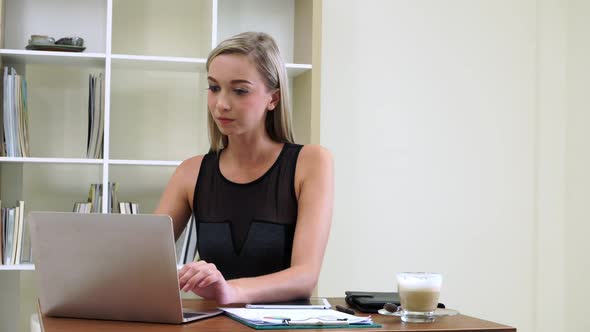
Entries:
{"x":550,"y":126}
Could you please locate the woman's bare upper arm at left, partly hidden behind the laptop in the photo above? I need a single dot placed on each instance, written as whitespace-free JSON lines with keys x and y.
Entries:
{"x":176,"y":201}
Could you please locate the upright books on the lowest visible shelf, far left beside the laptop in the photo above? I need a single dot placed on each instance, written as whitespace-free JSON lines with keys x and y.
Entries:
{"x":15,"y":247}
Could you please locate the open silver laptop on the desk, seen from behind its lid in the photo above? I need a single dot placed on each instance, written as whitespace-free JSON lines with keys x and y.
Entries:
{"x":108,"y":266}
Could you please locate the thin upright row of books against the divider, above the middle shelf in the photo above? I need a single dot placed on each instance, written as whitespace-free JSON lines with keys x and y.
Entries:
{"x":95,"y":117}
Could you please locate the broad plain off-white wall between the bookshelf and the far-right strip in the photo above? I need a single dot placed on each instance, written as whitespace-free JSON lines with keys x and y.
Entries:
{"x":449,"y":147}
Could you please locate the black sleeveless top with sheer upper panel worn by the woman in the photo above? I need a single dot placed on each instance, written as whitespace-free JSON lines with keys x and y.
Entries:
{"x":247,"y":230}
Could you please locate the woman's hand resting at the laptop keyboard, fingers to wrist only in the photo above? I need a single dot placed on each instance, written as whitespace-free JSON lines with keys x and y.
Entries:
{"x":205,"y":280}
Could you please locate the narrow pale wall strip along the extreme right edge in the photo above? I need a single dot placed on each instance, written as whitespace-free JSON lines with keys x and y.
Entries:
{"x":578,"y":168}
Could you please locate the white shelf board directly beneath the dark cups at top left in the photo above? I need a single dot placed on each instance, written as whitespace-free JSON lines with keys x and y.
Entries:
{"x":10,"y":56}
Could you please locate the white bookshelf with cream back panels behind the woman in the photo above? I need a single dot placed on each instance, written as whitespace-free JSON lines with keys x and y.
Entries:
{"x":152,"y":54}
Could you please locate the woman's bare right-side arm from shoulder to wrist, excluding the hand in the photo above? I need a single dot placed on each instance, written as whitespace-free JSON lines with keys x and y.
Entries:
{"x":315,"y":202}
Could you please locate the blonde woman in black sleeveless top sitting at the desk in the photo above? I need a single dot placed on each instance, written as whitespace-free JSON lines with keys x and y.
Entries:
{"x":262,"y":204}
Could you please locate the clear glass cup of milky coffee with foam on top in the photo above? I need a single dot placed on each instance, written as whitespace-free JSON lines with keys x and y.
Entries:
{"x":418,"y":292}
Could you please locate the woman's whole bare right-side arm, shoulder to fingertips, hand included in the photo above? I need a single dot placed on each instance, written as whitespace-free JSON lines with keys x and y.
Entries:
{"x":314,"y":188}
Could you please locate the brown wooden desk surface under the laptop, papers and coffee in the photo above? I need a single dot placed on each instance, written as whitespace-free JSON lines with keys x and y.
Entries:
{"x":222,"y":323}
